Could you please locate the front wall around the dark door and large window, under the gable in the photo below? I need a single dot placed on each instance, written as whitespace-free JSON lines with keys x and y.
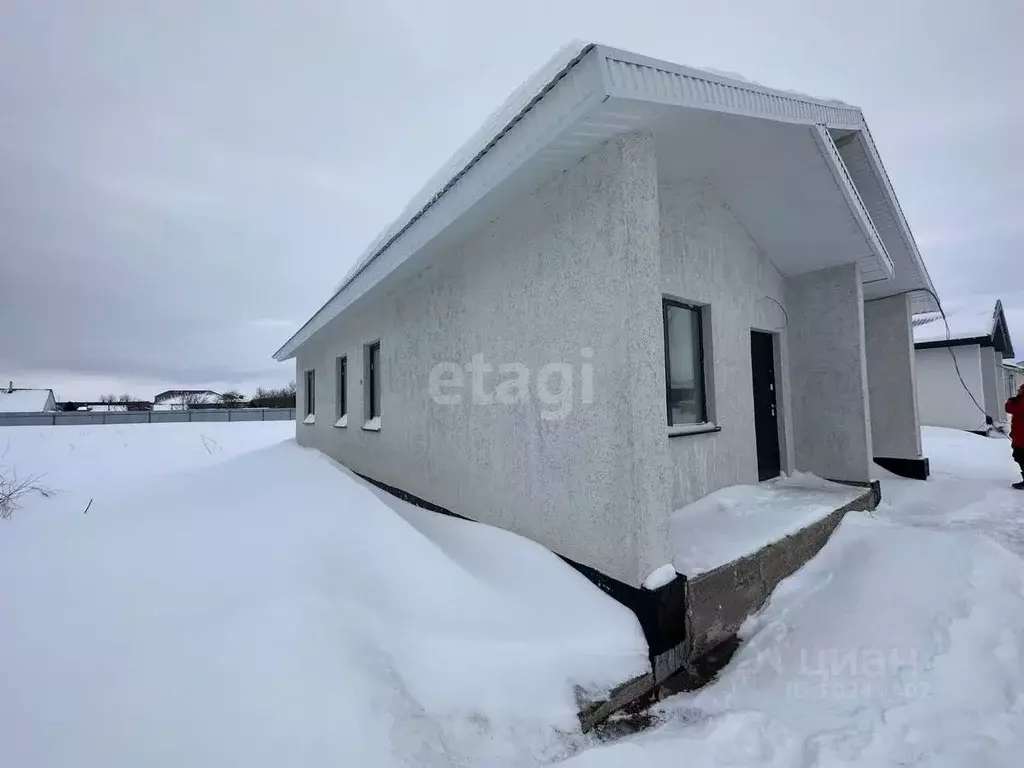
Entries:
{"x":709,"y":259}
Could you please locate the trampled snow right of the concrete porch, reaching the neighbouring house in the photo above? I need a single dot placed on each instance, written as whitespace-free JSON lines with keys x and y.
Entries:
{"x":903,"y":644}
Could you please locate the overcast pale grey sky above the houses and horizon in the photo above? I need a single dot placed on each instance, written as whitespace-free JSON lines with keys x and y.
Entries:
{"x":183,"y":184}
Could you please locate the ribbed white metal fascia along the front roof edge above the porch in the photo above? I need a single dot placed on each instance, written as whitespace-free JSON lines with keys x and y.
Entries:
{"x":632,"y":76}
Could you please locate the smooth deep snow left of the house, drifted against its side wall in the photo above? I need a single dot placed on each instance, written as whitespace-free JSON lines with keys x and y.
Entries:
{"x":272,"y":610}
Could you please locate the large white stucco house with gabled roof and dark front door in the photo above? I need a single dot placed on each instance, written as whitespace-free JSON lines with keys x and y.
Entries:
{"x":638,"y":284}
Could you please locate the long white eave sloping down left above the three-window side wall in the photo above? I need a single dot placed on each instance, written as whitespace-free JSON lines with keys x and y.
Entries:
{"x":562,"y":102}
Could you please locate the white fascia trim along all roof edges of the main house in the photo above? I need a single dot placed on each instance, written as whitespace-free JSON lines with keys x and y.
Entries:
{"x":595,"y":74}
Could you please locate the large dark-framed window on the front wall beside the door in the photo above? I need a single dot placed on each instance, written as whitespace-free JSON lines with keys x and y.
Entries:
{"x":685,"y":365}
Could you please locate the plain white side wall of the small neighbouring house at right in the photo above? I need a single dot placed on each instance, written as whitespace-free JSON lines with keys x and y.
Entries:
{"x":943,"y":401}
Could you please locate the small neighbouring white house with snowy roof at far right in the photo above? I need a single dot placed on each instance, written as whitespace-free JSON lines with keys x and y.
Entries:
{"x":962,"y":382}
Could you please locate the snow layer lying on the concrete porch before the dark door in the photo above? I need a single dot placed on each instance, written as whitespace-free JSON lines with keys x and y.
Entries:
{"x":738,"y":522}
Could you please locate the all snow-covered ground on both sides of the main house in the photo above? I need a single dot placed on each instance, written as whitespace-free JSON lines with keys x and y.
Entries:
{"x":234,"y":600}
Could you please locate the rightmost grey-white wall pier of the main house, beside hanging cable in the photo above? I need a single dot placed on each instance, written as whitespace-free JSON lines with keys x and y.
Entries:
{"x":891,"y":382}
